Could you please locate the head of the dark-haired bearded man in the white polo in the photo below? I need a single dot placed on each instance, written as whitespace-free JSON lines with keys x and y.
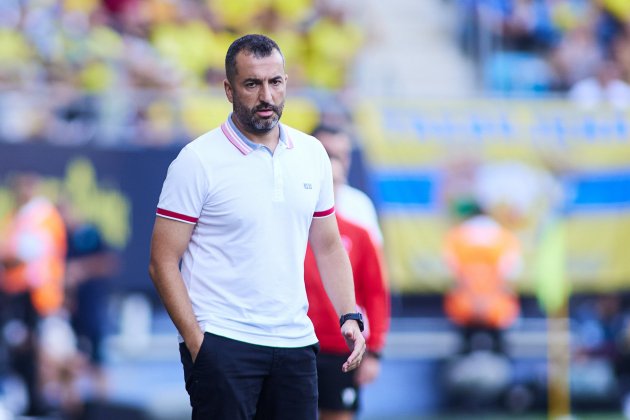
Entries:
{"x":255,"y":83}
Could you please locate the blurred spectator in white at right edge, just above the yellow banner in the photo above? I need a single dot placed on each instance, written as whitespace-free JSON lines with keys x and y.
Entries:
{"x":604,"y":88}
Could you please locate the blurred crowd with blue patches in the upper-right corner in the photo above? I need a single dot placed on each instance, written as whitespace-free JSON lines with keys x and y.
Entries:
{"x":546,"y":46}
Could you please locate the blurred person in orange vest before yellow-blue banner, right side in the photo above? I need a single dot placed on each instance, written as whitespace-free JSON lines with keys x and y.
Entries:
{"x":481,"y":256}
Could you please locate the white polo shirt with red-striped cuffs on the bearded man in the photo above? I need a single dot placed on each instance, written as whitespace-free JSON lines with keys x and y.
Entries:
{"x":252,"y":210}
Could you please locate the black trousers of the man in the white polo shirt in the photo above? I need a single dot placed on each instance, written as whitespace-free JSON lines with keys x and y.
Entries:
{"x":233,"y":380}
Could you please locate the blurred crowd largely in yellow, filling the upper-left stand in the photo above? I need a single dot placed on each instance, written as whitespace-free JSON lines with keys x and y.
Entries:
{"x":137,"y":72}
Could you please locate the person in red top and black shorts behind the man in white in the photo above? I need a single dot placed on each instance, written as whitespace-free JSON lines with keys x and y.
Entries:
{"x":338,"y":391}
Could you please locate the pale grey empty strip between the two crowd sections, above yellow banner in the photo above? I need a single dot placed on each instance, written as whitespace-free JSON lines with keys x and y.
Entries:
{"x":412,"y":53}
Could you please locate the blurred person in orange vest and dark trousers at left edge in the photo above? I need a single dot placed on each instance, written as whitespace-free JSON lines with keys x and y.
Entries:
{"x":32,"y":257}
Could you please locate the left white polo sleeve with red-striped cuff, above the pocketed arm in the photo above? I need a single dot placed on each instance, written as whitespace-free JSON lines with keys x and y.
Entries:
{"x":184,"y":189}
